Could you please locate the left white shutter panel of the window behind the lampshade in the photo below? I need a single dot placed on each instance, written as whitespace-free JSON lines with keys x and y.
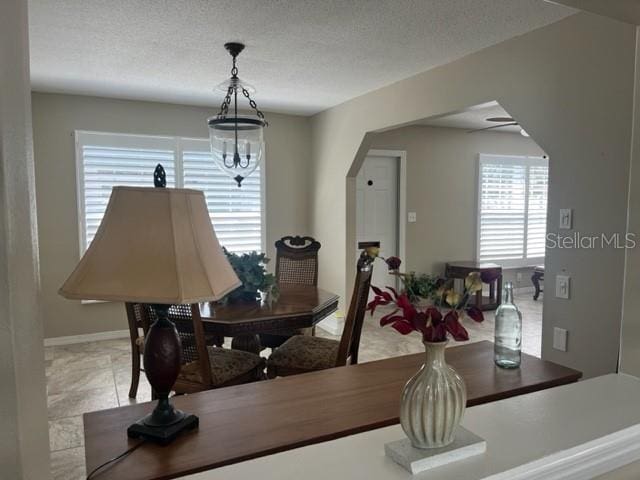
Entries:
{"x":107,"y":160}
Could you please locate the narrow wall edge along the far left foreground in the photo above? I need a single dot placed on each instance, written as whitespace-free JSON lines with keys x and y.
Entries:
{"x":24,"y":443}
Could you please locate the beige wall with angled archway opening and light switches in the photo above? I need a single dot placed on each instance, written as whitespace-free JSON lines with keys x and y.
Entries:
{"x":567,"y":89}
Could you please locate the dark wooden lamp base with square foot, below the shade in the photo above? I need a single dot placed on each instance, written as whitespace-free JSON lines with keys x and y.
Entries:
{"x":161,"y":359}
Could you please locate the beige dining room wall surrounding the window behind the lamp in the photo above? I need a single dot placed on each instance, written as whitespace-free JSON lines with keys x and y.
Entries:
{"x":55,"y":117}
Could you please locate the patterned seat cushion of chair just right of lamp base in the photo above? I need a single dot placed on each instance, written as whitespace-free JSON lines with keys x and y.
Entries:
{"x":226,"y":365}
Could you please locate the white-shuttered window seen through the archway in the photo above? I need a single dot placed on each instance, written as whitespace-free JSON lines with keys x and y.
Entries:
{"x":512,"y":209}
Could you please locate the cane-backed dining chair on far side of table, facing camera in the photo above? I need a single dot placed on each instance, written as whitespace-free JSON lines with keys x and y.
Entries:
{"x":296,"y":264}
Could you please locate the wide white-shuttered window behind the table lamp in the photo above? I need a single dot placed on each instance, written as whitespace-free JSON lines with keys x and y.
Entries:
{"x":105,"y":160}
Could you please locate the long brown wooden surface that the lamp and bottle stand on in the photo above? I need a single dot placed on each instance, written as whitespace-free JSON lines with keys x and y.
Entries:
{"x":257,"y":419}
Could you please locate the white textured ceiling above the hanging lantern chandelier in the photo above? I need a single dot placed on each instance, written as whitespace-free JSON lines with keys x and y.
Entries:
{"x":302,"y":56}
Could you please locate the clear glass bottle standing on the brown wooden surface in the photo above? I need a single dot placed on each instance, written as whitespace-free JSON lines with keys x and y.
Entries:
{"x":508,"y":335}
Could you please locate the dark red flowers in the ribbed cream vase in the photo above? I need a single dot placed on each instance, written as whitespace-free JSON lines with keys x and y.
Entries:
{"x":442,"y":316}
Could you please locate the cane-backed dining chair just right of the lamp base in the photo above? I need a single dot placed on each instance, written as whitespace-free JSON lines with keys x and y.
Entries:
{"x":204,"y":366}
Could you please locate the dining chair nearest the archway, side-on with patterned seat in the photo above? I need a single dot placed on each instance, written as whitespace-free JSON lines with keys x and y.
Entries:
{"x":301,"y":354}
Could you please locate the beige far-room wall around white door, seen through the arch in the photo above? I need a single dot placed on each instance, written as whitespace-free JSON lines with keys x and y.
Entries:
{"x":442,"y":176}
